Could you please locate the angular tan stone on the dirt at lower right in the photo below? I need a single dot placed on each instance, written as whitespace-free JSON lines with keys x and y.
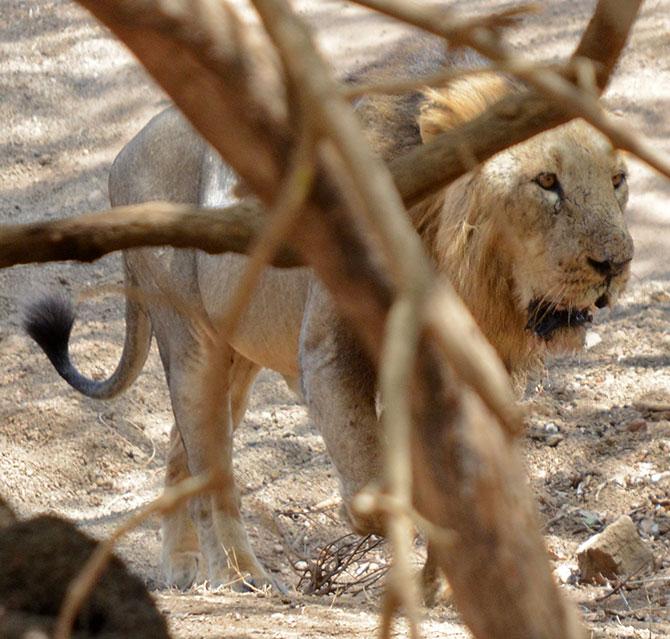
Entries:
{"x":617,"y":550}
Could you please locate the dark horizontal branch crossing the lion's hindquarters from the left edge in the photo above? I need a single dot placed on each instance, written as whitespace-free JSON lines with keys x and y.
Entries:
{"x":90,"y":236}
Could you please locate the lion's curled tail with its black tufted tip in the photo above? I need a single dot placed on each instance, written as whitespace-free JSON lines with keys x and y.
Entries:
{"x":49,"y":322}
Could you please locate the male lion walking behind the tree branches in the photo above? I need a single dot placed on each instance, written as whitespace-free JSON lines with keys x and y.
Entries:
{"x":533,"y":240}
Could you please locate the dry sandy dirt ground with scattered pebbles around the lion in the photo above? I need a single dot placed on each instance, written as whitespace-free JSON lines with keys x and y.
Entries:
{"x":599,"y":436}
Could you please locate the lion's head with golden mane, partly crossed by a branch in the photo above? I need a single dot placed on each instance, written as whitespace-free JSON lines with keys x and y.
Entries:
{"x":535,"y":238}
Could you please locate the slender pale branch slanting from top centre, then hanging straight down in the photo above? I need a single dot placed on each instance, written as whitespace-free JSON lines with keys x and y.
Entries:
{"x":388,"y":220}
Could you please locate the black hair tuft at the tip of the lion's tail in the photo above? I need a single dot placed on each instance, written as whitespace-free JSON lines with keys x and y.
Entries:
{"x":49,"y":322}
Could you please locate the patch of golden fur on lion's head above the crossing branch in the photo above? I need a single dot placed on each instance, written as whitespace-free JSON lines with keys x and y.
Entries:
{"x":458,"y":102}
